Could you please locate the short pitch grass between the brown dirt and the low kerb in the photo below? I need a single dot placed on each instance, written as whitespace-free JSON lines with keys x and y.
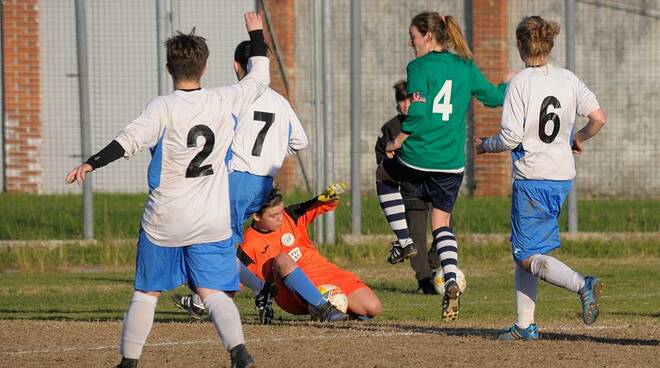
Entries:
{"x":104,"y":295}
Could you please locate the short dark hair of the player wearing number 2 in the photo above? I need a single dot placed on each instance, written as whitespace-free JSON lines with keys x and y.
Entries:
{"x":186,"y":55}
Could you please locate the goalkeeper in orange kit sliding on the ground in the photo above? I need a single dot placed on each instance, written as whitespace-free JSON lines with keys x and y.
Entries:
{"x":277,"y":248}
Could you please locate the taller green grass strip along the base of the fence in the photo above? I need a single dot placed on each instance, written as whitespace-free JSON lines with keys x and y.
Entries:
{"x":117,"y":216}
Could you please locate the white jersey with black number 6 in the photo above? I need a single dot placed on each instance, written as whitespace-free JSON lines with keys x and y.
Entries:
{"x":538,"y":117}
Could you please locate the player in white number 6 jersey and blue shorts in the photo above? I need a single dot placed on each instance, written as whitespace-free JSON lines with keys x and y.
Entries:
{"x":537,"y":127}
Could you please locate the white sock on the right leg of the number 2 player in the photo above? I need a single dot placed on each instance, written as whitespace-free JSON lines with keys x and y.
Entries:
{"x":226,"y":319}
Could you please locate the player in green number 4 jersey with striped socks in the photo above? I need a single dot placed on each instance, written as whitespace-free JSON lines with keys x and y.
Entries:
{"x":430,"y":150}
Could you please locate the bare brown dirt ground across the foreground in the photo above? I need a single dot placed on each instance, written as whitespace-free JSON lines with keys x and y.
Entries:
{"x":304,"y":344}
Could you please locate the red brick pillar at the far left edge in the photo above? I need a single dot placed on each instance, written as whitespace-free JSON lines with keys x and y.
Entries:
{"x":22,"y":105}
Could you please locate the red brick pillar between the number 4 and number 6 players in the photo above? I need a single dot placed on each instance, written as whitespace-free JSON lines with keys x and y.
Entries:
{"x":489,"y":19}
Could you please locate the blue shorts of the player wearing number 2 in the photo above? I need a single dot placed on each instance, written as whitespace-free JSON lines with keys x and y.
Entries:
{"x":207,"y":265}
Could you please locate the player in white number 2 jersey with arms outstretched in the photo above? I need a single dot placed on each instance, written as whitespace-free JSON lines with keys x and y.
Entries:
{"x":185,"y":234}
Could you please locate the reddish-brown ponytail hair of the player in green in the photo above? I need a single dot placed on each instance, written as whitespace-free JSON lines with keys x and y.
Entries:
{"x":445,"y":29}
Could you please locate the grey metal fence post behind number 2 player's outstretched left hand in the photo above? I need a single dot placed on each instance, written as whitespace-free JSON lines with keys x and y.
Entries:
{"x":85,"y":131}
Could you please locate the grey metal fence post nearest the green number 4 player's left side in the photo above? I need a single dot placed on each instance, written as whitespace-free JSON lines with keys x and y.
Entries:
{"x":356,"y":108}
